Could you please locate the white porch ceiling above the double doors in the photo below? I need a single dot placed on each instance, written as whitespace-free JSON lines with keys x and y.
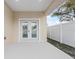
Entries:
{"x":30,"y":5}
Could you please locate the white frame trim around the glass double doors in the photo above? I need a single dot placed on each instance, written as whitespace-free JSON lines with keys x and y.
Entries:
{"x":31,"y":20}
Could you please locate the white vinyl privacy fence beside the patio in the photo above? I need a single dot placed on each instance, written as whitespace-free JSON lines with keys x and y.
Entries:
{"x":63,"y":33}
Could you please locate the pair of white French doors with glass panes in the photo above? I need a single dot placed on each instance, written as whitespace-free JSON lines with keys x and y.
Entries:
{"x":29,"y":30}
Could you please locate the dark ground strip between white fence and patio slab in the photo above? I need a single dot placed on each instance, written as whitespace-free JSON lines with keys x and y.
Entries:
{"x":65,"y":48}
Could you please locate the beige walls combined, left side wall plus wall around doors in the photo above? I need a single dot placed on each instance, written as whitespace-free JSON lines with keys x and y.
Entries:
{"x":11,"y":24}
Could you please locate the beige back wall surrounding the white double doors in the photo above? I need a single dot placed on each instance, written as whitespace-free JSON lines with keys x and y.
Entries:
{"x":42,"y":24}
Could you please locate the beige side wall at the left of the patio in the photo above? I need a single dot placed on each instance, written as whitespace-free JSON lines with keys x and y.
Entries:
{"x":8,"y":24}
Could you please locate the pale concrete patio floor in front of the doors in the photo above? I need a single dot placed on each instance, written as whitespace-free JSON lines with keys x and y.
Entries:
{"x":34,"y":50}
